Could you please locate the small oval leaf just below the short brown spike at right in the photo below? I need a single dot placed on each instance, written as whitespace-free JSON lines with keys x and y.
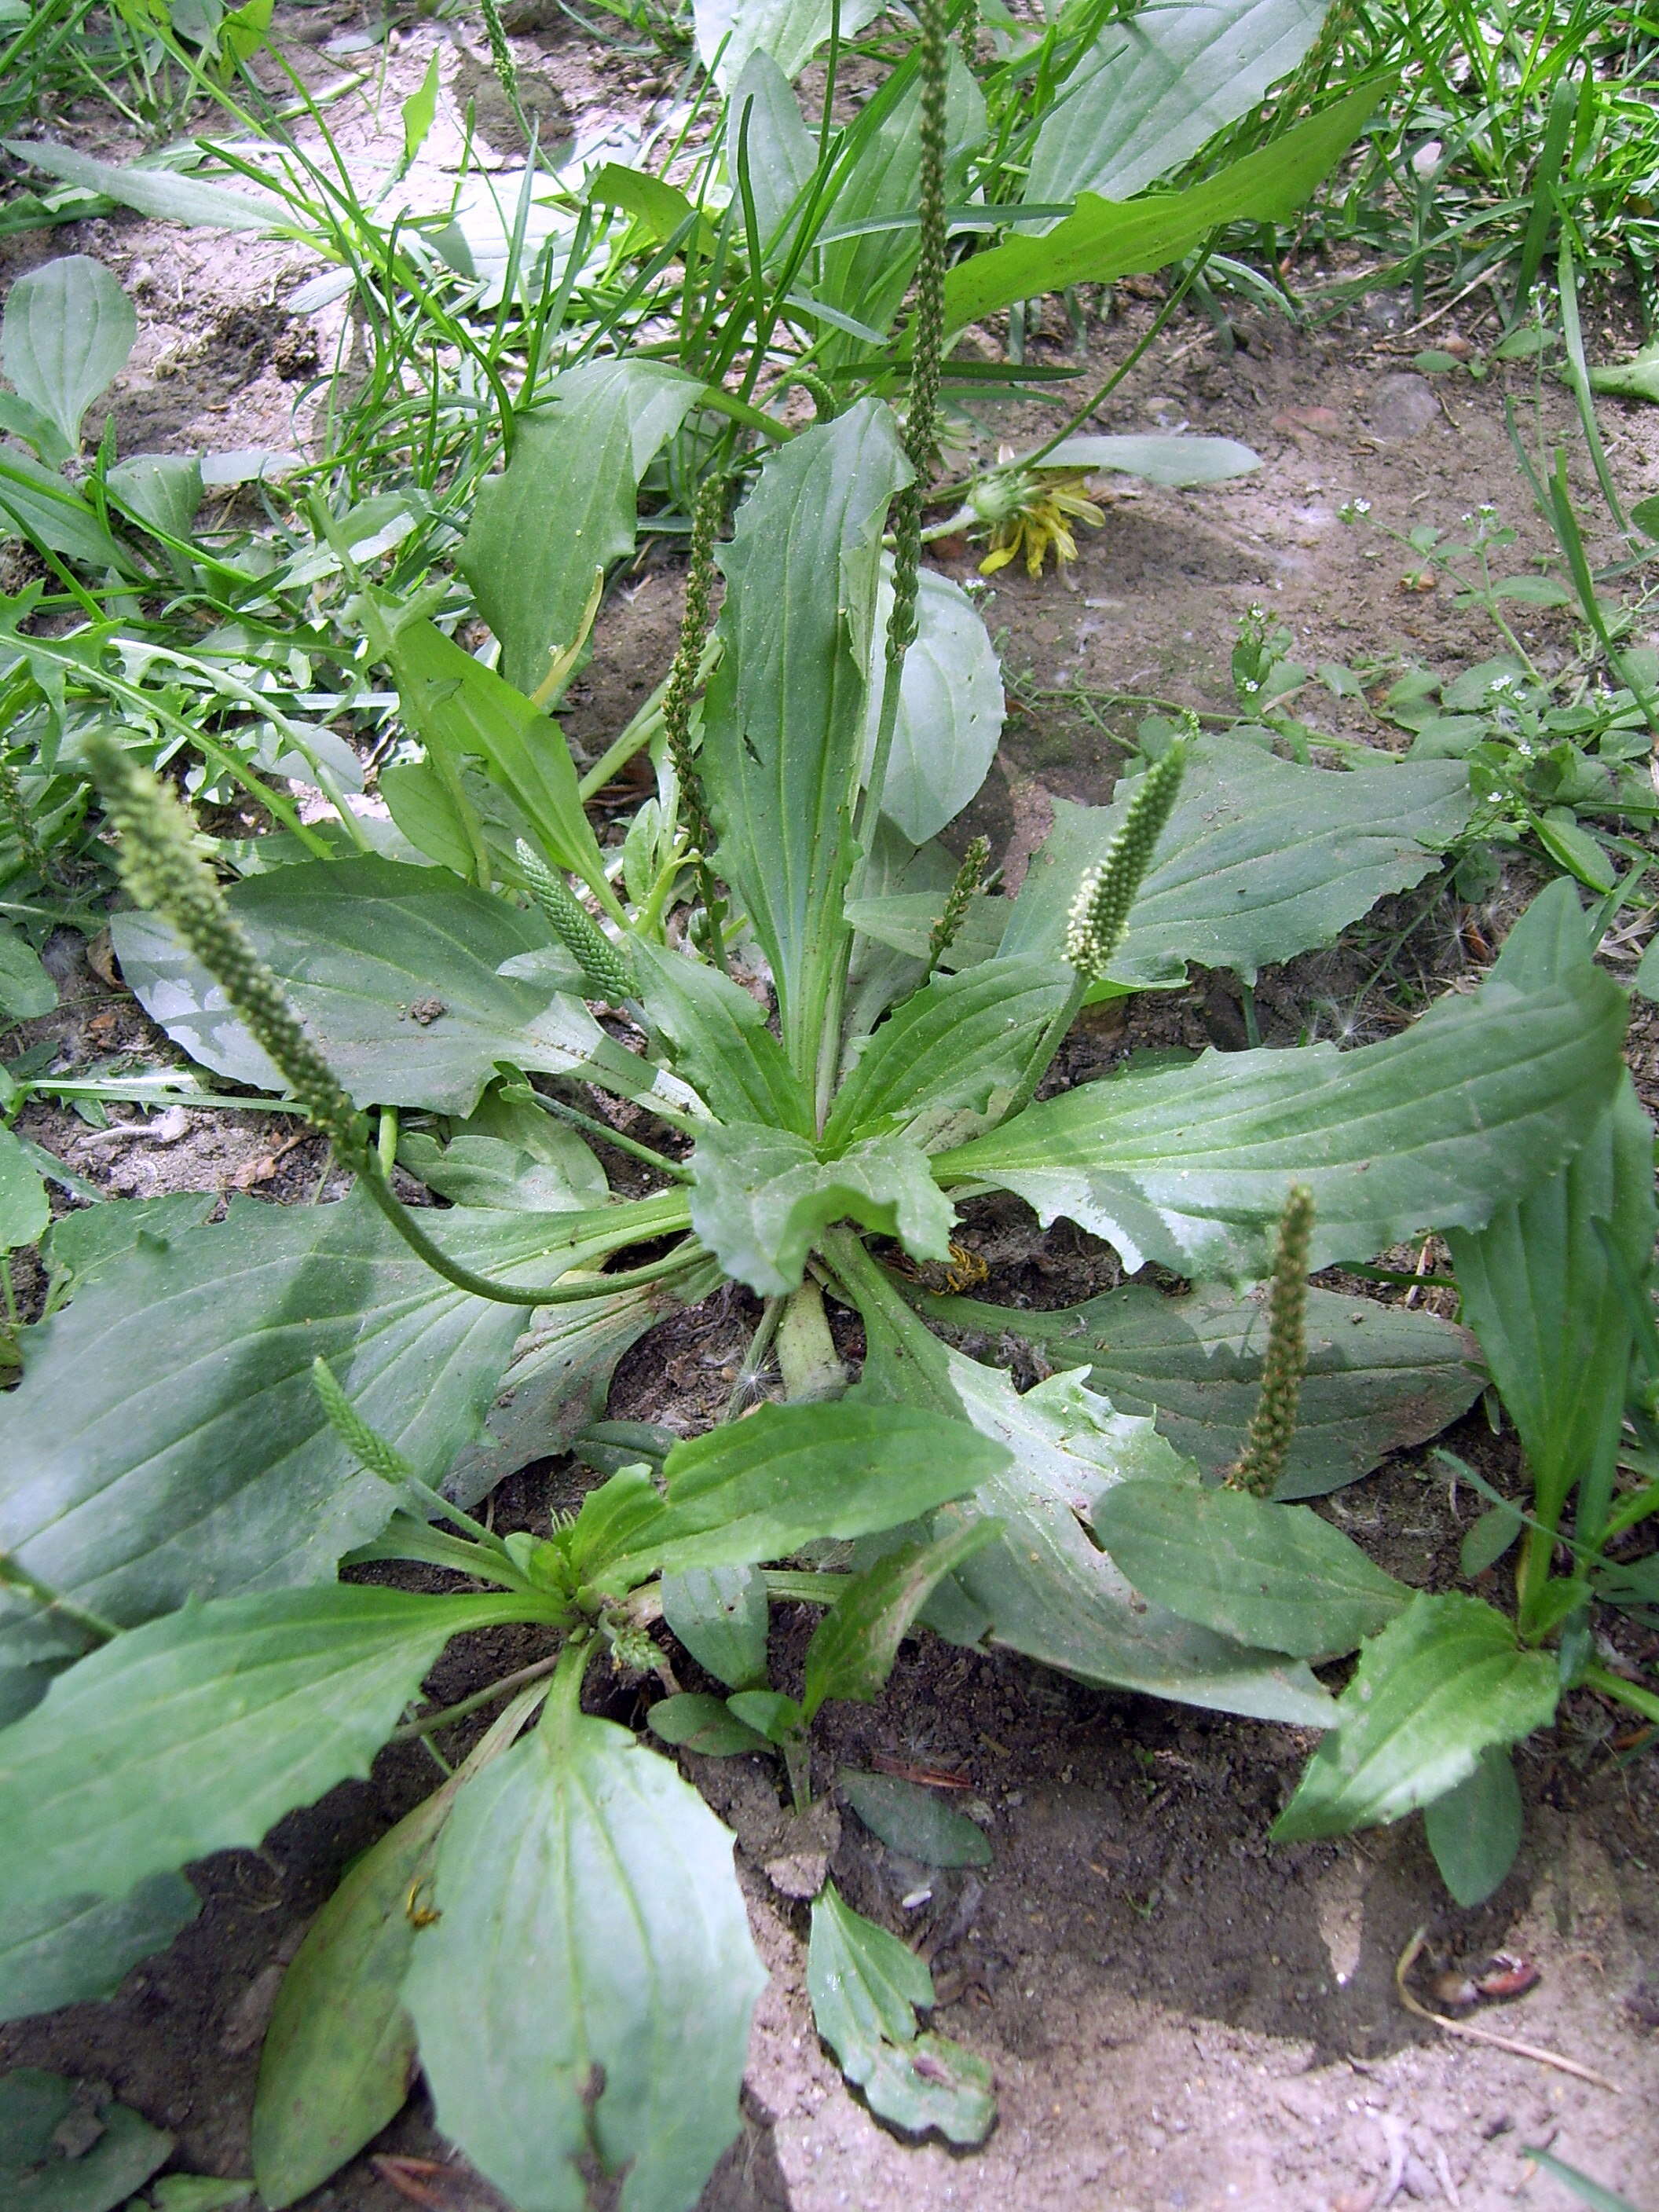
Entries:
{"x":1258,"y":1572}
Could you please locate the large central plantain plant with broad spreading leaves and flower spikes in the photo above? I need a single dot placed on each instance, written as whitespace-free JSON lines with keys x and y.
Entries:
{"x":820,"y":1039}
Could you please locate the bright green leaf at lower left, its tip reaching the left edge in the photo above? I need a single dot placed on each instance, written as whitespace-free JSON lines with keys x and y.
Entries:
{"x":200,"y":1731}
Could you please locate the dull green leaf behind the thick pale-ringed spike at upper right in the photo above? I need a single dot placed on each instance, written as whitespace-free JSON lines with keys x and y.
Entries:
{"x":1260,"y":862}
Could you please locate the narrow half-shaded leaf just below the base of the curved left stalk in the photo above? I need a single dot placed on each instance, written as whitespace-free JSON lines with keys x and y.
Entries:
{"x":559,"y":1379}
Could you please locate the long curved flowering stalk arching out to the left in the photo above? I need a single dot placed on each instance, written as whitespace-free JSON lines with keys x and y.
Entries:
{"x":167,"y":875}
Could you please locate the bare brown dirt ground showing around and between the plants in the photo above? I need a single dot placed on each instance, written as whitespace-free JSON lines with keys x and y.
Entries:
{"x":1178,"y":2016}
